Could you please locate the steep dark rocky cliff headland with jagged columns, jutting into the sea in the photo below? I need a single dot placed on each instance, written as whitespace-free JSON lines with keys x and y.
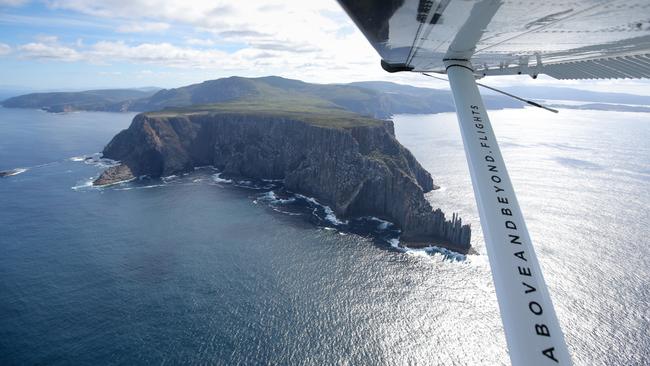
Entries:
{"x":358,"y":168}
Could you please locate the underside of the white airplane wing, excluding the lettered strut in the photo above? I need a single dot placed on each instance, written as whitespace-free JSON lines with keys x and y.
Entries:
{"x":579,"y":39}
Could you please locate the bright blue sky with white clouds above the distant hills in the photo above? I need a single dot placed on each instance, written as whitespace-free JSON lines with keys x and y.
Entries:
{"x":85,"y":44}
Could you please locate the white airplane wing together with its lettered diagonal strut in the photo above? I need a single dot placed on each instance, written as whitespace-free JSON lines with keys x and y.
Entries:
{"x":469,"y":39}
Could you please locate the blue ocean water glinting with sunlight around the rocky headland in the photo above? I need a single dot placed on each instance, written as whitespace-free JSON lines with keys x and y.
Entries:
{"x":198,"y":269}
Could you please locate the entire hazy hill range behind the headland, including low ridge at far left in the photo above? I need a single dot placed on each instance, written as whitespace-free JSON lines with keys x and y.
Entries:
{"x":375,"y":99}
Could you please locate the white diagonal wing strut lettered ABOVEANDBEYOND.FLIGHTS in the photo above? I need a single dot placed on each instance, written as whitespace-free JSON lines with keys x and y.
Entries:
{"x":532,"y":331}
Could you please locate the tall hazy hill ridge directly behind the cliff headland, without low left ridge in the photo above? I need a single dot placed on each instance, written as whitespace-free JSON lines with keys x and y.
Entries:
{"x":375,"y":99}
